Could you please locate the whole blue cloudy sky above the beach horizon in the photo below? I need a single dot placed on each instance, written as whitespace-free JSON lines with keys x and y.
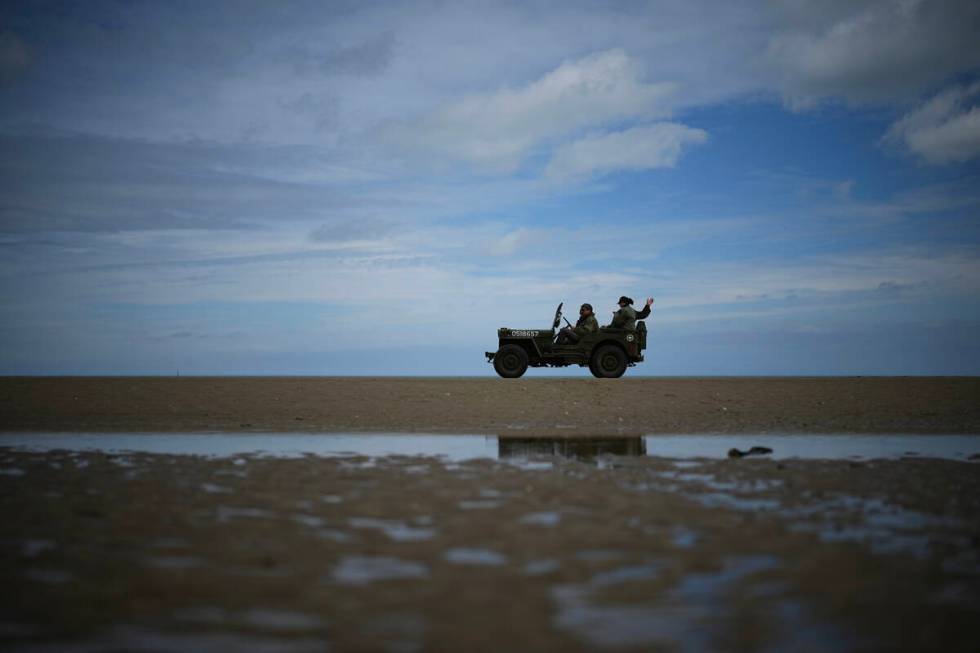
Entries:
{"x":374,"y":188}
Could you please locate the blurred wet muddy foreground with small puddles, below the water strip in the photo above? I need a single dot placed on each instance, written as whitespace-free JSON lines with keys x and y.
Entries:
{"x":177,"y":553}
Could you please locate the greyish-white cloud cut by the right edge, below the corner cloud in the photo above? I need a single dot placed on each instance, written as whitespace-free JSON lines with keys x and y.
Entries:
{"x":946,"y":129}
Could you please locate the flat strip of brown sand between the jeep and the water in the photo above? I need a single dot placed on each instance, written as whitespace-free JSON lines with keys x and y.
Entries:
{"x":492,"y":405}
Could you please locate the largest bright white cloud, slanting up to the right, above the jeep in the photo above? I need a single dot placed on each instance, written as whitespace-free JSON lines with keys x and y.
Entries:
{"x":497,"y":130}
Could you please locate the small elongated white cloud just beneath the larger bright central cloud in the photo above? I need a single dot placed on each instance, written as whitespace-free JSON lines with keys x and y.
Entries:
{"x":650,"y":146}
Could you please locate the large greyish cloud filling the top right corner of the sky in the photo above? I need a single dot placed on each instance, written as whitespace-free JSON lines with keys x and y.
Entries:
{"x":871,"y":51}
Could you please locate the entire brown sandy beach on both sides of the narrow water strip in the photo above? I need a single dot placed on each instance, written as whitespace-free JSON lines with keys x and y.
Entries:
{"x":554,"y":540}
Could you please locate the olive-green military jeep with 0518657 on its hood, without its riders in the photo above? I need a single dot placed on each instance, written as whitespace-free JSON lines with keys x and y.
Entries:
{"x":608,"y":352}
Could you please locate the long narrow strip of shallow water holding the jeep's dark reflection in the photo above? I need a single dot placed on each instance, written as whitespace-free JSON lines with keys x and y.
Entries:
{"x":520,"y":450}
